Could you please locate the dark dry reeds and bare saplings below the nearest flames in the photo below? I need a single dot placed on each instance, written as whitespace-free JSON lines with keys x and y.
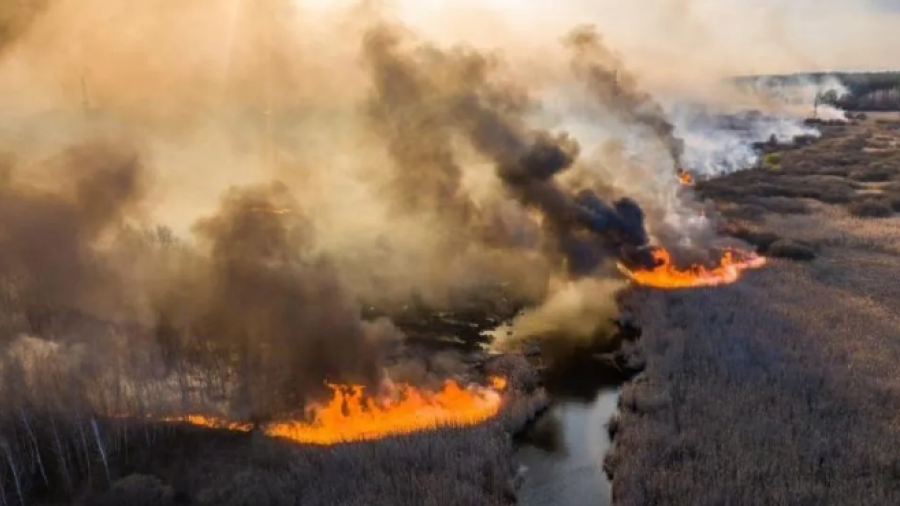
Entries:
{"x":58,"y":458}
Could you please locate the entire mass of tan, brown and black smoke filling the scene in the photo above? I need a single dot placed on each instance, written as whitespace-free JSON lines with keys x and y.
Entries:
{"x":435,"y":169}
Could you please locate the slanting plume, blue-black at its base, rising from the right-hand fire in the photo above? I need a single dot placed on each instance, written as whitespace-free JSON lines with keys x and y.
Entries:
{"x":490,"y":115}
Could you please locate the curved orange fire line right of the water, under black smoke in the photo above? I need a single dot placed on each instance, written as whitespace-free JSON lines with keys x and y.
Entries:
{"x":667,"y":275}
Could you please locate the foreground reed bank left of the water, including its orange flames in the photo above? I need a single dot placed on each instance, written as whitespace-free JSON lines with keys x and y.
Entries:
{"x":464,"y":456}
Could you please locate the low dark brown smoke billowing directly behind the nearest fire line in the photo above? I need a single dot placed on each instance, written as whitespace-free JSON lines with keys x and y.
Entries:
{"x":250,"y":311}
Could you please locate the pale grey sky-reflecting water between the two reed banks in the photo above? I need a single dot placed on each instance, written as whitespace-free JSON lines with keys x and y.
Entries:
{"x":563,"y":453}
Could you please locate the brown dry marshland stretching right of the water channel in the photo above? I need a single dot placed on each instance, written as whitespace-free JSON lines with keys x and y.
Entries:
{"x":781,"y":388}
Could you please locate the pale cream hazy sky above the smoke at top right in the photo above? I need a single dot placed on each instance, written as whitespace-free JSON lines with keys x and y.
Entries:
{"x":739,"y":36}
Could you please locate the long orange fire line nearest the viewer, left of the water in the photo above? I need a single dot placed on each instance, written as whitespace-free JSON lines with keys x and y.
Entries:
{"x":351,"y":415}
